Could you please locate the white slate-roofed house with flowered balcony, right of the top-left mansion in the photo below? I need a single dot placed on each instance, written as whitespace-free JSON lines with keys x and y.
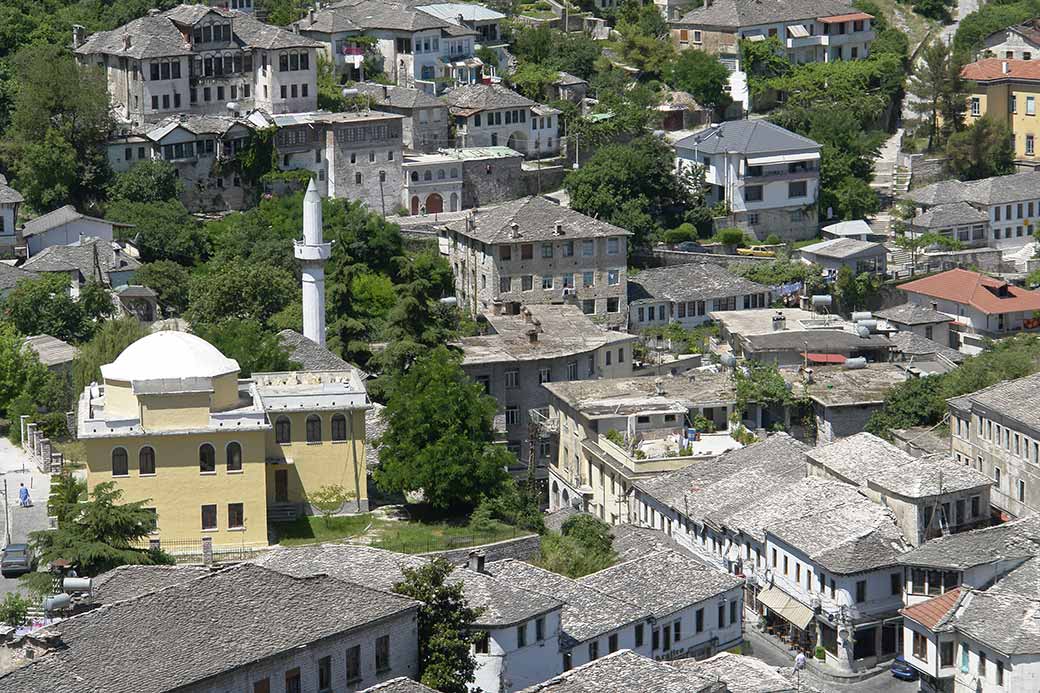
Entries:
{"x":417,"y":48}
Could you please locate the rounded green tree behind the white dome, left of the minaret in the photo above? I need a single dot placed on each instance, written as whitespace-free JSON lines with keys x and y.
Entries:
{"x":238,"y":291}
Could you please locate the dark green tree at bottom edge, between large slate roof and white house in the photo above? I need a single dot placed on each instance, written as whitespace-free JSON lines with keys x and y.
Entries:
{"x":446,"y":623}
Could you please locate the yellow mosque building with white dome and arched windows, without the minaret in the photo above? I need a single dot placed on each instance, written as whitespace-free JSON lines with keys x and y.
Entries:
{"x":215,"y":455}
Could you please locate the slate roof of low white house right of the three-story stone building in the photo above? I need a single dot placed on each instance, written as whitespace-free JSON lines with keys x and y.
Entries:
{"x":690,"y":283}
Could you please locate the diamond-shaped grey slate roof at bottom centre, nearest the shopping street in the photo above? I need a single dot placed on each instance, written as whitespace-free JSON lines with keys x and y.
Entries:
{"x":663,"y":583}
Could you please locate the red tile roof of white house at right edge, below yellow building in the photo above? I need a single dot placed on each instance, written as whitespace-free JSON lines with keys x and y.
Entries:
{"x":991,"y":296}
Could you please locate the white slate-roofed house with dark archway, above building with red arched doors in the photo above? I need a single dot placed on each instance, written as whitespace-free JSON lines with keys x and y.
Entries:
{"x":492,"y":115}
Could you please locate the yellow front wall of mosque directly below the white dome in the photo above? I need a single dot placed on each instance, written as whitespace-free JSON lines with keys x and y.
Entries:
{"x":178,"y":491}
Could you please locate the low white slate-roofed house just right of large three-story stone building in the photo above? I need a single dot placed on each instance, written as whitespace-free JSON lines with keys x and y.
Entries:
{"x":686,"y":294}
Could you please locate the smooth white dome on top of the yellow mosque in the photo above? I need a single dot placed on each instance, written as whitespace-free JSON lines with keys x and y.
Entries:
{"x":169,"y":355}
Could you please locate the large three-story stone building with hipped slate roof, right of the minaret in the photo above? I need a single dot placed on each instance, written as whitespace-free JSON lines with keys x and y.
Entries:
{"x":532,"y":251}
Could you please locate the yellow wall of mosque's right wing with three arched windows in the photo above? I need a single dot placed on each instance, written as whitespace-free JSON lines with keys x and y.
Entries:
{"x":319,"y":465}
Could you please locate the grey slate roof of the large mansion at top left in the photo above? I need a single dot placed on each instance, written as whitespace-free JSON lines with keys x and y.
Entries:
{"x":160,"y":36}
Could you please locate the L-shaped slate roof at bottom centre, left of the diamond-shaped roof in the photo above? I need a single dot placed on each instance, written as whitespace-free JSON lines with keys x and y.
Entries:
{"x":588,"y":613}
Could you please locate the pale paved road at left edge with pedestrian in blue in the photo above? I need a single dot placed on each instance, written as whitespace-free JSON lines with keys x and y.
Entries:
{"x":16,"y":470}
